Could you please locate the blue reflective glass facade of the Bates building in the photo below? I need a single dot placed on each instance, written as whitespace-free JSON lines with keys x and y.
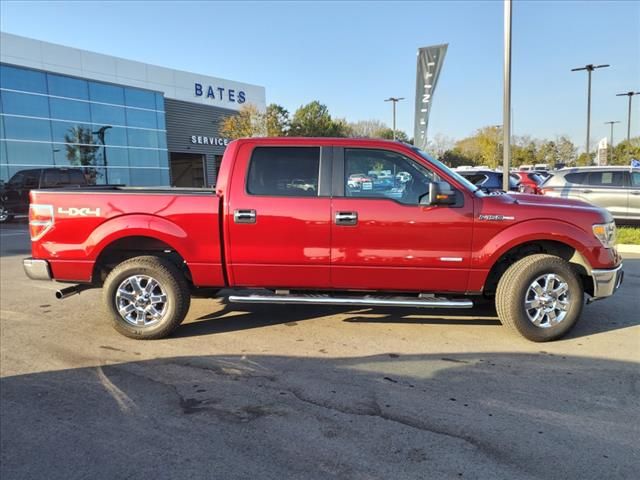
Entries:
{"x":115,"y":134}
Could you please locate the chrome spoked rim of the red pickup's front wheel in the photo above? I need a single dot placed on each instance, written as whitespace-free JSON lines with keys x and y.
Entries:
{"x":547,"y":300}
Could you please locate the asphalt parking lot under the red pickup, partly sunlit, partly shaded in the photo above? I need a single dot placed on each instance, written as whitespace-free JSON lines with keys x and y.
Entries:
{"x":276,"y":392}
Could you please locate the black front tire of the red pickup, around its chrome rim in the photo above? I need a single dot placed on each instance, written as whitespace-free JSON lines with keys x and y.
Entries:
{"x":514,"y":289}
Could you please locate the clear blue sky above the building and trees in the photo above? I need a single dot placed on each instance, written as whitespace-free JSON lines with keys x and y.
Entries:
{"x":352,"y":55}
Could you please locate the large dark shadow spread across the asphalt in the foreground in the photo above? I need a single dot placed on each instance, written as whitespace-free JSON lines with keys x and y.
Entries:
{"x":446,"y":415}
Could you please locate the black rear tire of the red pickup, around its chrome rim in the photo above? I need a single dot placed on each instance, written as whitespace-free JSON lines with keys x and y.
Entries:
{"x":170,"y":281}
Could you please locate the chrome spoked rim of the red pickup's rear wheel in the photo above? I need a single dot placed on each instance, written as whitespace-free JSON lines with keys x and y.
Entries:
{"x":141,"y":301}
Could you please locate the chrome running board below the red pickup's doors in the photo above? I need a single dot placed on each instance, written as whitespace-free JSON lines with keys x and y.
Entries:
{"x":366,"y":301}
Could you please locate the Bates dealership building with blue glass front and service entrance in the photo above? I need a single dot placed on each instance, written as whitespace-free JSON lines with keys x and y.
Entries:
{"x":121,"y":121}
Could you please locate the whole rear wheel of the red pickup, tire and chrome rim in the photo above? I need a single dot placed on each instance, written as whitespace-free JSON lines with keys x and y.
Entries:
{"x":147,"y":297}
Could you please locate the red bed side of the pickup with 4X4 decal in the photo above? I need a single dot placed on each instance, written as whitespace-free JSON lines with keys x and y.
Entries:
{"x":91,"y":222}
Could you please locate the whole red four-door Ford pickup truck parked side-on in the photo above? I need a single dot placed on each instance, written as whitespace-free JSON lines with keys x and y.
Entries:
{"x":426,"y":238}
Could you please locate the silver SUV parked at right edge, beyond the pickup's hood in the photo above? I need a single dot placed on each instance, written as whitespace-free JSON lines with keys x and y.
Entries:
{"x":615,"y":188}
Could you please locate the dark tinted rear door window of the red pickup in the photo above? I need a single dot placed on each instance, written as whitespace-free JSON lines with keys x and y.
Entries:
{"x":284,"y":171}
